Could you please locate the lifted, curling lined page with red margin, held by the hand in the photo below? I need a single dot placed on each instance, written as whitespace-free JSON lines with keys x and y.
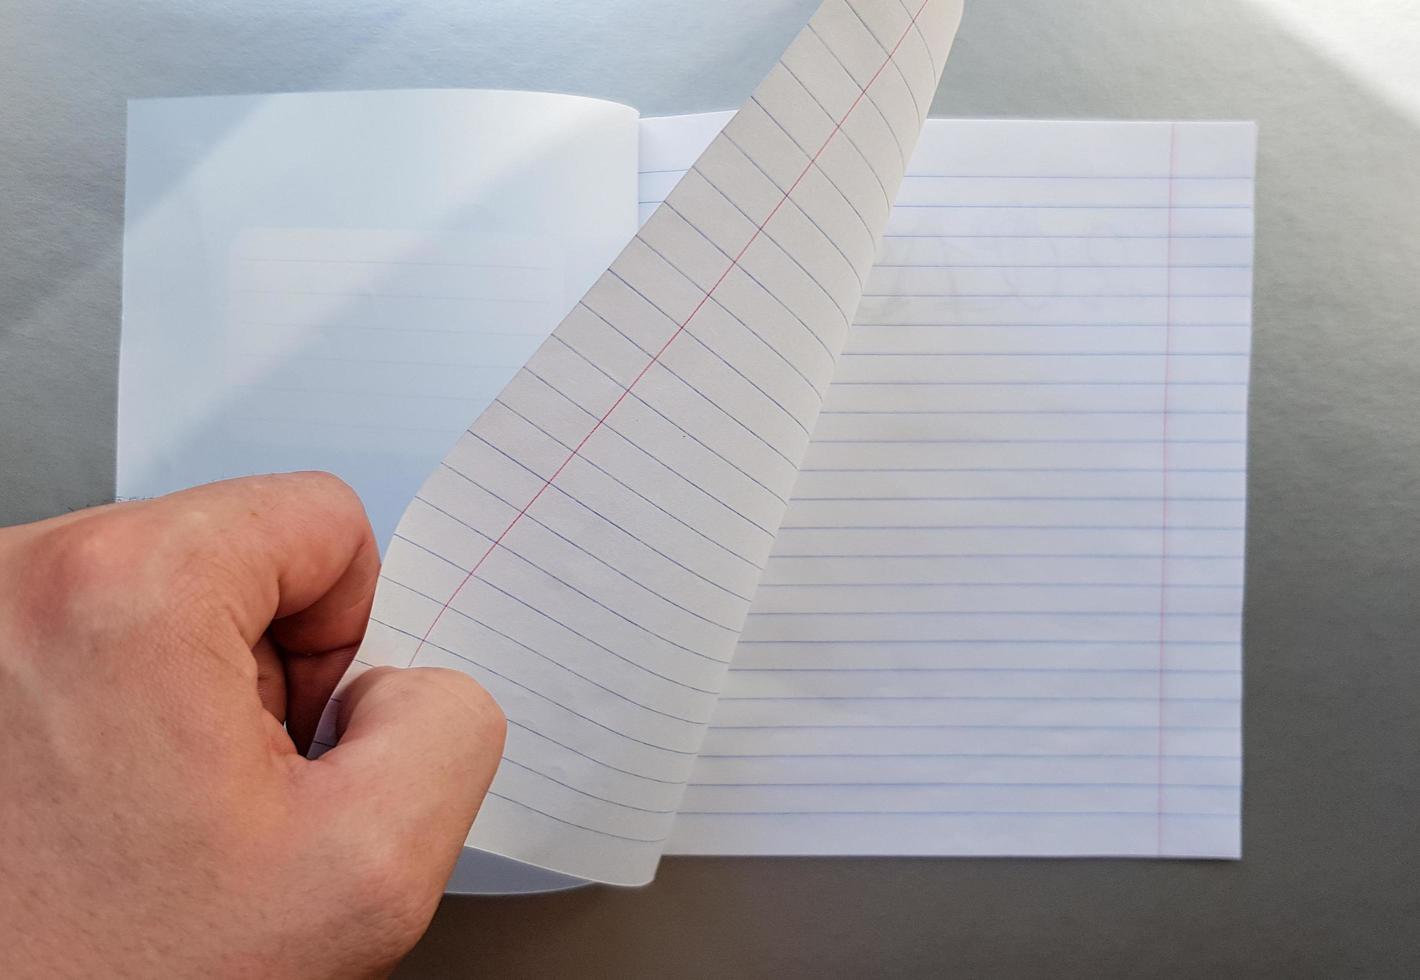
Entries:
{"x":589,"y":550}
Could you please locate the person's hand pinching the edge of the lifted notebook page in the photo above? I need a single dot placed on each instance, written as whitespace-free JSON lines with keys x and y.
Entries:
{"x":155,"y":816}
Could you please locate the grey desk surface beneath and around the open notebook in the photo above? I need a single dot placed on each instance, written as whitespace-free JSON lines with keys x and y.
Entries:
{"x":1328,"y":886}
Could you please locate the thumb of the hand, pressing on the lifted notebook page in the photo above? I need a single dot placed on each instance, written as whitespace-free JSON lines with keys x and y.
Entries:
{"x":418,"y":749}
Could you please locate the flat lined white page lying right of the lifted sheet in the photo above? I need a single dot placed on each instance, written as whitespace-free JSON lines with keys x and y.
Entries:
{"x":1003,"y":613}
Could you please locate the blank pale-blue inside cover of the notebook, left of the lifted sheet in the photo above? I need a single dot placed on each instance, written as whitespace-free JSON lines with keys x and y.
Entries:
{"x":342,"y":281}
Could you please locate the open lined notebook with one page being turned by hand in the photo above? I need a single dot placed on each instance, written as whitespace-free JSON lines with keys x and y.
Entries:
{"x":880,"y":498}
